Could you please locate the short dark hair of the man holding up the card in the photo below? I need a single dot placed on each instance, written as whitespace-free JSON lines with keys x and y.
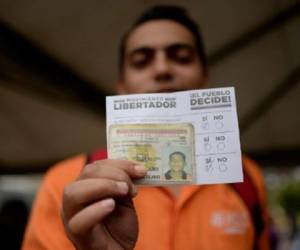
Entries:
{"x":169,"y":12}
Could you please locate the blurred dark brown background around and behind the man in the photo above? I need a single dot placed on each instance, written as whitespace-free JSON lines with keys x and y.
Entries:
{"x":58,"y":61}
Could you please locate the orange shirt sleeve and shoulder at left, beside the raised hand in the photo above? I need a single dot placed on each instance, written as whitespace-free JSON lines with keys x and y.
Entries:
{"x":45,"y":227}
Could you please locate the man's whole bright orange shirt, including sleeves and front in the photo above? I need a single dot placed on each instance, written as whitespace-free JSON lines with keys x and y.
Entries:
{"x":202,"y":217}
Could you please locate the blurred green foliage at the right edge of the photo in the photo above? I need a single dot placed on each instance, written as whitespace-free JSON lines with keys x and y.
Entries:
{"x":289,"y":197}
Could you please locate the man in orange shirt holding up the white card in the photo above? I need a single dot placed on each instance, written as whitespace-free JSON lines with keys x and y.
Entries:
{"x":162,"y":52}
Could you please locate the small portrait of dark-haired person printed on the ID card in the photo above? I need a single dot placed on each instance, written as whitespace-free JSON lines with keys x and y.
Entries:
{"x":177,"y":163}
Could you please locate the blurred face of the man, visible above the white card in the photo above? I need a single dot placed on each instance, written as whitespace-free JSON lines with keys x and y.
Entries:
{"x":160,"y":56}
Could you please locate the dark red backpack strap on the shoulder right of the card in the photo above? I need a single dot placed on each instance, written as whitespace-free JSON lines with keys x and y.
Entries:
{"x":249,"y":194}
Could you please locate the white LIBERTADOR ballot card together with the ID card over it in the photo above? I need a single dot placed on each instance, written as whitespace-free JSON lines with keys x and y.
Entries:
{"x":185,"y":137}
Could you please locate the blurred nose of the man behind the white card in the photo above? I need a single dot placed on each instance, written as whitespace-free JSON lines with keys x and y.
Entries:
{"x":162,"y":68}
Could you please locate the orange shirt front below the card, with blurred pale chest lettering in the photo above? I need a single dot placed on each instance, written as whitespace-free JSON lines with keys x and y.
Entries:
{"x":212,"y":217}
